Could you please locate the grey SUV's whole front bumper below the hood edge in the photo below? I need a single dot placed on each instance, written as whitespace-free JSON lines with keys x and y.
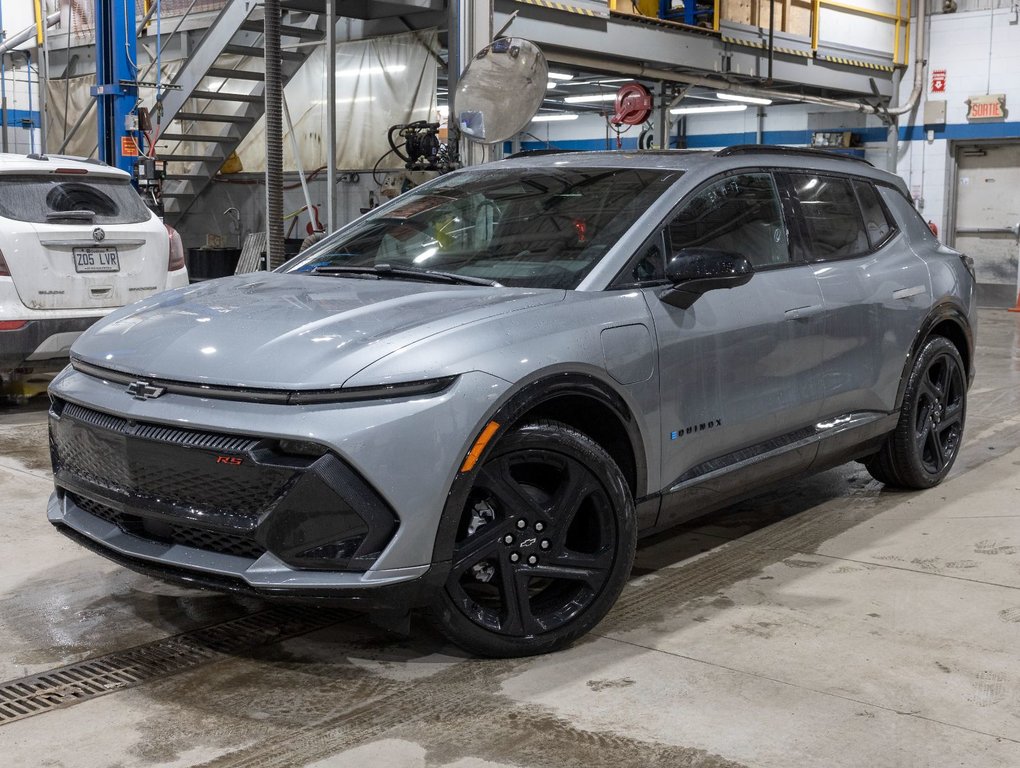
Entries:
{"x":405,"y":452}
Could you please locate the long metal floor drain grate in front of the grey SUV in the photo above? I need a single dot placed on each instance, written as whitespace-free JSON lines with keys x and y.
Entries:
{"x":134,"y":667}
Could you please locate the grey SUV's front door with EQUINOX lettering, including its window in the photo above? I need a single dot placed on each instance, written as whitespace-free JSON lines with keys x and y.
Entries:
{"x":740,"y":369}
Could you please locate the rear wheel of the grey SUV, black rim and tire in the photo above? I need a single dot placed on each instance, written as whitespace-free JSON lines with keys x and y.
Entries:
{"x":925,"y":445}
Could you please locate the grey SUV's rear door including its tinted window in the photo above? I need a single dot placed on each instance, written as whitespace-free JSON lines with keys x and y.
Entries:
{"x":876,"y":290}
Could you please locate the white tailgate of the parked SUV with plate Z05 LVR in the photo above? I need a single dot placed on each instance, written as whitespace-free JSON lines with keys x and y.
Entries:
{"x":80,"y":240}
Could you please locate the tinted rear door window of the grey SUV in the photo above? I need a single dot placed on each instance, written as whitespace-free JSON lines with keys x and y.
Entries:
{"x":832,"y":217}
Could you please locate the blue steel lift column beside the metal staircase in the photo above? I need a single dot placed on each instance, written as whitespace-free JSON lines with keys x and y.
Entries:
{"x":117,"y":88}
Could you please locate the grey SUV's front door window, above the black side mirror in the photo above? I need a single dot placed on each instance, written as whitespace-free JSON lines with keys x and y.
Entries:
{"x":740,"y":215}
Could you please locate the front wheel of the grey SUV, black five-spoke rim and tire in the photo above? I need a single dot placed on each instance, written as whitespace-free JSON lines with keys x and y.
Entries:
{"x":544,"y":547}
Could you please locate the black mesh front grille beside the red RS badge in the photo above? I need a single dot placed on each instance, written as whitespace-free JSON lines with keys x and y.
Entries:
{"x":158,"y":465}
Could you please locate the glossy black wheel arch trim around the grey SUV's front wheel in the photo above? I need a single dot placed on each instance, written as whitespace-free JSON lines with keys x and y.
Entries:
{"x":509,"y":414}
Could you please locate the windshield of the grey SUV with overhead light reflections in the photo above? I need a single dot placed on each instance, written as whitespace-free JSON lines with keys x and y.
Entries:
{"x":531,"y":228}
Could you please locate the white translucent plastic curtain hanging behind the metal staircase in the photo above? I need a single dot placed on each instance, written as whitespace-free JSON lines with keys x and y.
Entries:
{"x":381,"y":82}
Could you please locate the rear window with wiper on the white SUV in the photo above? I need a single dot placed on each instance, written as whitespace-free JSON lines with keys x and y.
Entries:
{"x":64,"y":199}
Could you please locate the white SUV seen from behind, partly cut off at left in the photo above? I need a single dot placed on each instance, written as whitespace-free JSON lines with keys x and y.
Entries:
{"x":76,"y":243}
